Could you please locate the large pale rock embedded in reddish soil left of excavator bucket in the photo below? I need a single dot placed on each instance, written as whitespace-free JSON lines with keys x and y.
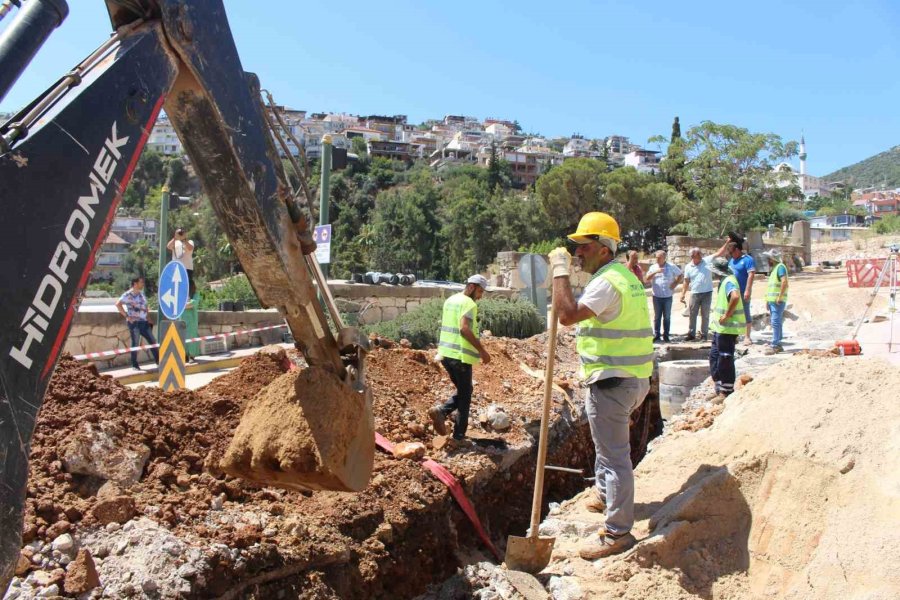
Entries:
{"x":101,"y":451}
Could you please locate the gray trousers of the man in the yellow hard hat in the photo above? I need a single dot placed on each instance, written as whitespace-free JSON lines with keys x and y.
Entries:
{"x":609,"y":410}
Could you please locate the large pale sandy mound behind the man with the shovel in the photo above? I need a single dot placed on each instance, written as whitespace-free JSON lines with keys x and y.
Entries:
{"x":793,"y":493}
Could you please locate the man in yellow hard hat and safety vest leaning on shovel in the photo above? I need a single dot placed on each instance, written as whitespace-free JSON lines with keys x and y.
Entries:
{"x":614,"y":342}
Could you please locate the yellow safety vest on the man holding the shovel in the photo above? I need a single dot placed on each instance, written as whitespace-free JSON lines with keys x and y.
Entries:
{"x":625,"y":343}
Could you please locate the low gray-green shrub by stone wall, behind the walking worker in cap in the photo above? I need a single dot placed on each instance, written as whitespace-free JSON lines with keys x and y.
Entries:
{"x":506,"y":318}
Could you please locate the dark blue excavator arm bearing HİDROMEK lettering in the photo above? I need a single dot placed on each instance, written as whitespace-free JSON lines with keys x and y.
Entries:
{"x":65,"y":161}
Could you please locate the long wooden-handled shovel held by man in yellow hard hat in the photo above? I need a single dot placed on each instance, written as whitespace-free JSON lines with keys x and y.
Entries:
{"x":532,"y":554}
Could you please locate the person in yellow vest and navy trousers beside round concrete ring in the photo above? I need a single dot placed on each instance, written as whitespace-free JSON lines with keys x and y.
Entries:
{"x":727,"y":324}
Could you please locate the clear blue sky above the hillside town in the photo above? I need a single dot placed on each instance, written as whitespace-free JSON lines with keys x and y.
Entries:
{"x":826,"y":68}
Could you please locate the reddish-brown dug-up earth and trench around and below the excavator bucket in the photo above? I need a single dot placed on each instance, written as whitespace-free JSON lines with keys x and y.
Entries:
{"x":401,"y":535}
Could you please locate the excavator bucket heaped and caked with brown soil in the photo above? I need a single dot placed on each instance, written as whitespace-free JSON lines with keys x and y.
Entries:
{"x":307,"y":430}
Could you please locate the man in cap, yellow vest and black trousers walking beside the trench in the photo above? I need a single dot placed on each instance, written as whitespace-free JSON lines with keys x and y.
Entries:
{"x":460,"y":348}
